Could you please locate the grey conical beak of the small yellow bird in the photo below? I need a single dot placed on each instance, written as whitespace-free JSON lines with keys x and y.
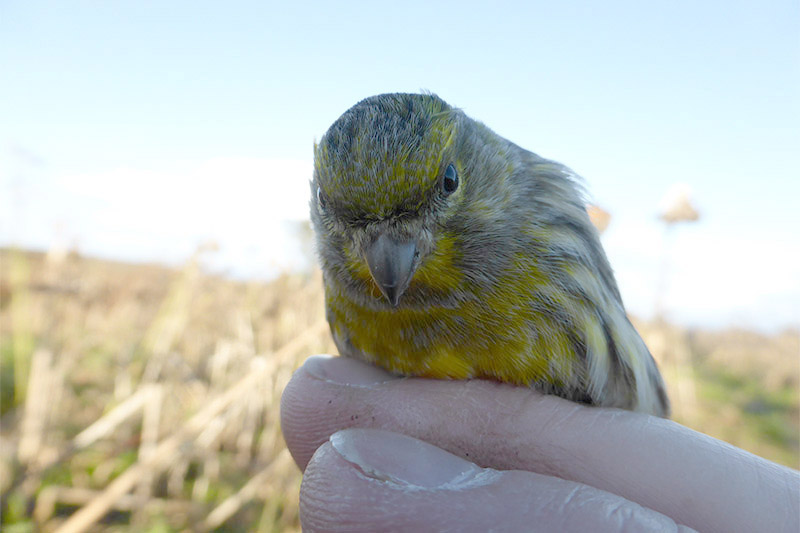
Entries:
{"x":391,"y":264}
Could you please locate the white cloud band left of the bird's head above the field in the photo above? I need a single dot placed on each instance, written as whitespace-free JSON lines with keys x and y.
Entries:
{"x":251,"y":208}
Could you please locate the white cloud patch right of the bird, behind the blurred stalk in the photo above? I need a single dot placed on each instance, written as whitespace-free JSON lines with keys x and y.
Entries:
{"x":713,"y":277}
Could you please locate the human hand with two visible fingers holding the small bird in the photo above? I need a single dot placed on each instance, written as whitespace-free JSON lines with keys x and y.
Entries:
{"x":548,"y":464}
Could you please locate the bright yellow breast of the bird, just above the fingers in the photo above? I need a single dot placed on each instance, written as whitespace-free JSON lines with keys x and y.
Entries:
{"x":475,"y":338}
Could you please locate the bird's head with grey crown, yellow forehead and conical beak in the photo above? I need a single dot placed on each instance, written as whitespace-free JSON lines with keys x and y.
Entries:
{"x":389,"y":180}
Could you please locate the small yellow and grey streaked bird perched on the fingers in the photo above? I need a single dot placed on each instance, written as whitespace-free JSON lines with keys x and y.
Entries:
{"x":449,"y":252}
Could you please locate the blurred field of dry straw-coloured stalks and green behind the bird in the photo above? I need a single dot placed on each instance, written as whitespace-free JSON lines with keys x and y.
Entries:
{"x":139,"y":398}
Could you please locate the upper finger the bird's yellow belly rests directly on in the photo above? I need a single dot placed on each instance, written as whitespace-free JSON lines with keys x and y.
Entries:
{"x":690,"y":477}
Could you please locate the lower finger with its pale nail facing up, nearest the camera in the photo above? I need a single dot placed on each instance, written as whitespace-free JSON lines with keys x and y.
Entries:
{"x":375,"y":480}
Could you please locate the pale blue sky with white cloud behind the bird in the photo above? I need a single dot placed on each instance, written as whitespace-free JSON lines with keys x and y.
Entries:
{"x":138,"y":130}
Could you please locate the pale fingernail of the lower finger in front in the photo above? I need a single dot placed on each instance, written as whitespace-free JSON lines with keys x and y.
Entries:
{"x":406,"y":461}
